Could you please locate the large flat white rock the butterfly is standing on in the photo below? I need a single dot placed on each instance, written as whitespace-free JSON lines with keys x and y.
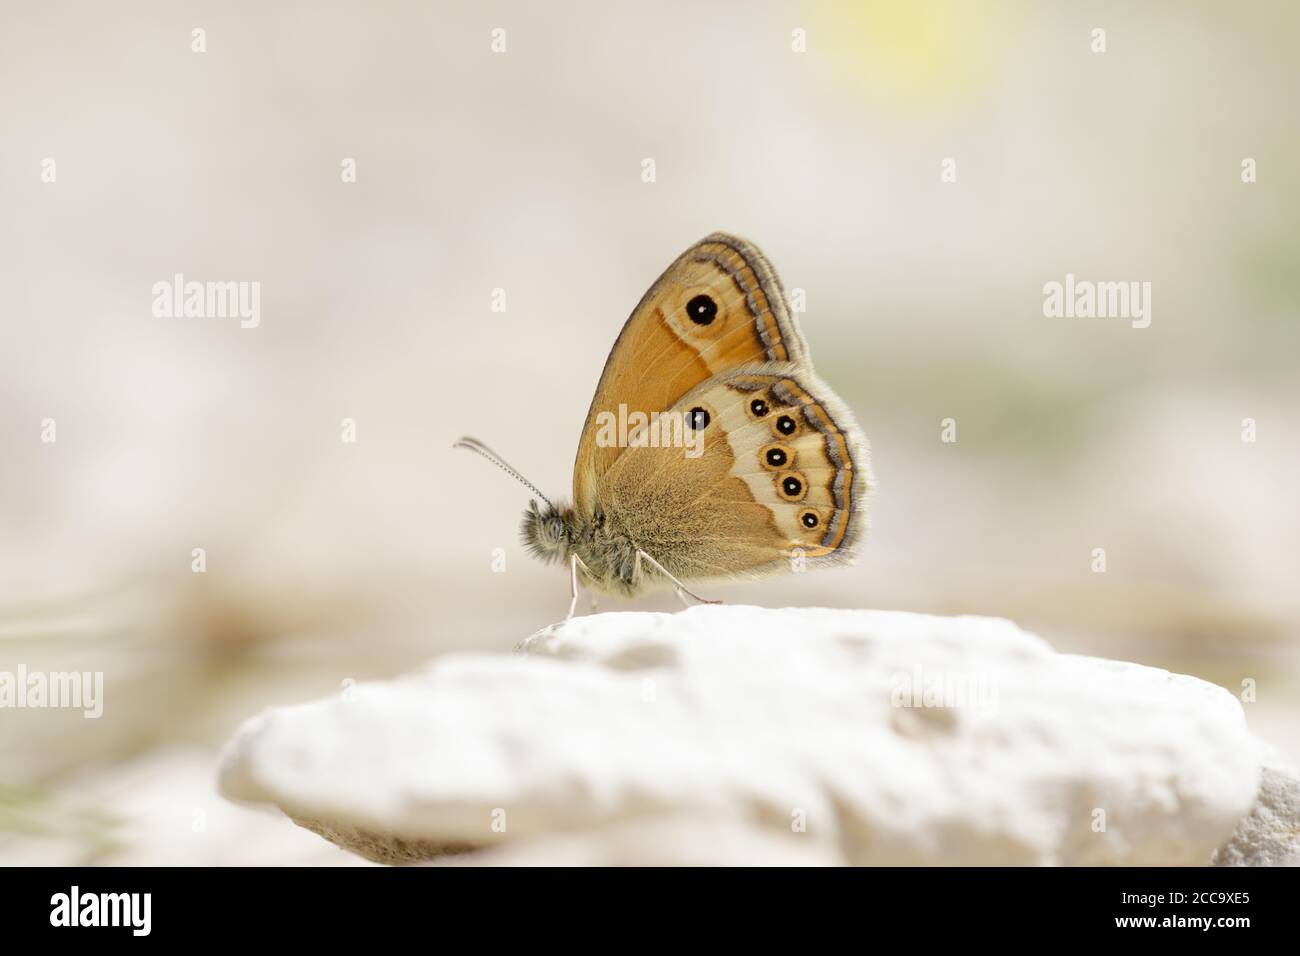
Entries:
{"x":843,"y":737}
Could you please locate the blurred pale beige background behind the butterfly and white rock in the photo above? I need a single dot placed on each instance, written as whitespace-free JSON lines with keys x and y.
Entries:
{"x":522,"y":171}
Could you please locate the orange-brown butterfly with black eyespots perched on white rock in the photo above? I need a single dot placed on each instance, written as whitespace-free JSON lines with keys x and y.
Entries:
{"x":712,"y":451}
